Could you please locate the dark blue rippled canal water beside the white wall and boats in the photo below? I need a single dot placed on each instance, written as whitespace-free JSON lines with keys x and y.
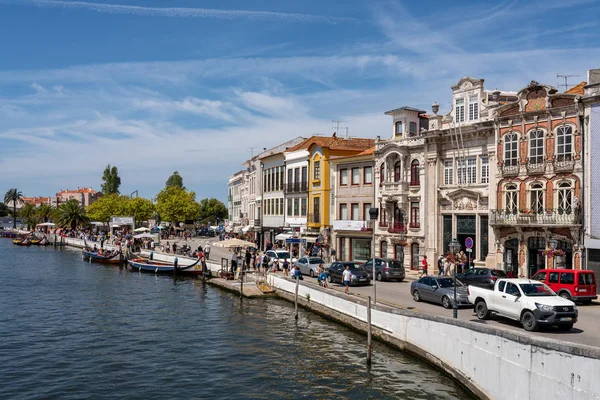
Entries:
{"x":74,"y":330}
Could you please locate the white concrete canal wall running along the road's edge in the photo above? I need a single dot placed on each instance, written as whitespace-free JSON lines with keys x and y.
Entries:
{"x":513,"y":367}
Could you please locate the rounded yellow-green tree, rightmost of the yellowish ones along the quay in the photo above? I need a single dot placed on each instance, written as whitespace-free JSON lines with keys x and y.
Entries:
{"x":176,"y":205}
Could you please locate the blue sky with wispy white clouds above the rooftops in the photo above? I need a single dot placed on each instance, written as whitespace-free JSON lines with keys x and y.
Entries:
{"x":199,"y":86}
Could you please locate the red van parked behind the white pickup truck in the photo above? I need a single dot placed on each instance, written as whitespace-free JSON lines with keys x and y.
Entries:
{"x":576,"y":285}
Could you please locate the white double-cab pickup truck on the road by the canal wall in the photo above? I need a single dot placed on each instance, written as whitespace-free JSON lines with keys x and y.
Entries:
{"x":531,"y":302}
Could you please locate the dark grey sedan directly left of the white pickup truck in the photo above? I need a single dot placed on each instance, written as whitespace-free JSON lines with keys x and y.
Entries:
{"x":439,"y":290}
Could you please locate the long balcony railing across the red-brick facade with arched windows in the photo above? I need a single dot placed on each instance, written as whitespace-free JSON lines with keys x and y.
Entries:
{"x":548,"y":218}
